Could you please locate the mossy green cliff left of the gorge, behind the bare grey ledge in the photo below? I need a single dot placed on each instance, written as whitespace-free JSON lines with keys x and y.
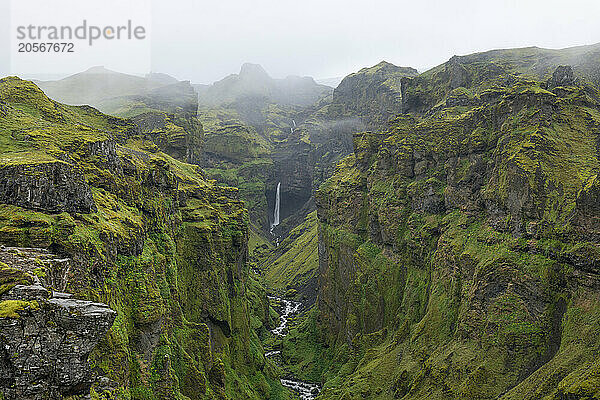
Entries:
{"x":148,"y":235}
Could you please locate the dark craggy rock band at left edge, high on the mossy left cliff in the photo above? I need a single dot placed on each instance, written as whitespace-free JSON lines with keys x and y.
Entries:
{"x":54,"y":187}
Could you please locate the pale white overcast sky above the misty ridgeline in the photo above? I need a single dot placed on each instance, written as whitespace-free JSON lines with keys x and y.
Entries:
{"x":204,"y":41}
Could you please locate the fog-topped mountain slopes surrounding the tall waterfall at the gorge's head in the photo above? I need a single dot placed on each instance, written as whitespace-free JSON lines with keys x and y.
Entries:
{"x":255,"y":140}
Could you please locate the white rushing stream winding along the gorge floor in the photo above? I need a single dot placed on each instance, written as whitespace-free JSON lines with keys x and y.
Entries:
{"x":306,"y":391}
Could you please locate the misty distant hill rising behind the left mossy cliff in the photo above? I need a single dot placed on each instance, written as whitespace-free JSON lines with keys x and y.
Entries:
{"x":162,"y":108}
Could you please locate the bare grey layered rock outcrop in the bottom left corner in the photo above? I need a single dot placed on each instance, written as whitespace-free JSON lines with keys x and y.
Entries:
{"x":45,"y":340}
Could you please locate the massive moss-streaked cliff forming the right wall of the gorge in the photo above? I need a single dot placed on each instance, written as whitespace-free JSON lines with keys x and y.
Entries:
{"x":455,"y":258}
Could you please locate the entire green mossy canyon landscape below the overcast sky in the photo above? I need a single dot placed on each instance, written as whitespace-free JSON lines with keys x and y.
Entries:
{"x":404,"y":235}
